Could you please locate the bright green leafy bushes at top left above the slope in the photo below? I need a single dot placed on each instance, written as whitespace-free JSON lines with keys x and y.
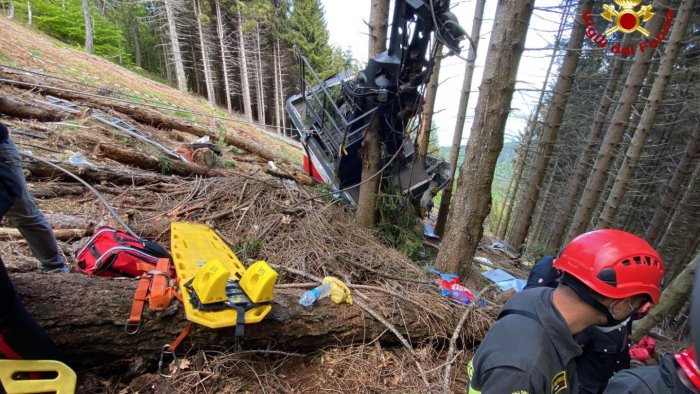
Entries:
{"x":66,"y":24}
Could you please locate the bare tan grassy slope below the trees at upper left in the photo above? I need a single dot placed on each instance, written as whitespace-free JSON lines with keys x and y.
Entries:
{"x":25,"y":48}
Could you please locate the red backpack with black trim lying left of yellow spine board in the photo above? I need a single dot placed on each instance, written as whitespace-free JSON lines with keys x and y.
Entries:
{"x":113,"y":253}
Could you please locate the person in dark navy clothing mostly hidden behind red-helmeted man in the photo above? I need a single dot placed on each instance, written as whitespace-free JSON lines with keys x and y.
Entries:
{"x":605,"y":349}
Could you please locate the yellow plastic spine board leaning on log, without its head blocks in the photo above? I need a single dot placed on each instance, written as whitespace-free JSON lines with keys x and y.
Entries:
{"x":192,"y":246}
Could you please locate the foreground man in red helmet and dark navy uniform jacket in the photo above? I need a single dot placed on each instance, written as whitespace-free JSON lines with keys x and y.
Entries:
{"x":607,"y":275}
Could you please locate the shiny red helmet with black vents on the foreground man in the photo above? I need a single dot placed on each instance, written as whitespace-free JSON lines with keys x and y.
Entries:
{"x":613,"y":263}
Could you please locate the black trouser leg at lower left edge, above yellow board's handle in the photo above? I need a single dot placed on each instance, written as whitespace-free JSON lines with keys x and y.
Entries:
{"x":20,"y":335}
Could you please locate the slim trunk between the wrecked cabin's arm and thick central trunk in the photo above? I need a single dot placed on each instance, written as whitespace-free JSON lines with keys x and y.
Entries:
{"x":444,"y":209}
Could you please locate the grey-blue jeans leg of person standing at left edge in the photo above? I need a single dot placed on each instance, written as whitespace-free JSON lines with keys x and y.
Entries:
{"x":26,"y":217}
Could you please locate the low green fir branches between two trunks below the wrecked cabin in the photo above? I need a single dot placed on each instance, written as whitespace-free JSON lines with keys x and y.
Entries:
{"x":399,"y":225}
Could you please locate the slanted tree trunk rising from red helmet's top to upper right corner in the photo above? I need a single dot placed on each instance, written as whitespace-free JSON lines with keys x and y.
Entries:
{"x":646,"y":122}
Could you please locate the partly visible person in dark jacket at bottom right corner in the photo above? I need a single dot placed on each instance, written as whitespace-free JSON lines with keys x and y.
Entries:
{"x":675,"y":374}
